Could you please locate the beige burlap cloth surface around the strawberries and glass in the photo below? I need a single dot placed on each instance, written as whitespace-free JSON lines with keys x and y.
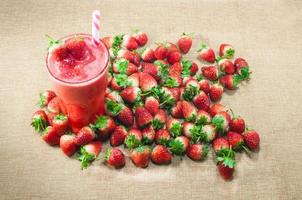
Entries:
{"x":267,"y":33}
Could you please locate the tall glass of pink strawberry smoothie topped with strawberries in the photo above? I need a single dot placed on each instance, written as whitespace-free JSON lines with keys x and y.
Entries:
{"x":78,"y":71}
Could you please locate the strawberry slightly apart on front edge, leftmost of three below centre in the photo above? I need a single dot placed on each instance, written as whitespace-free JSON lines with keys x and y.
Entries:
{"x":114,"y":158}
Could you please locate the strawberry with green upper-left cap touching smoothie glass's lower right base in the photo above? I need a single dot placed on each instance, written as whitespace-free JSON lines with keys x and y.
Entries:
{"x":104,"y":125}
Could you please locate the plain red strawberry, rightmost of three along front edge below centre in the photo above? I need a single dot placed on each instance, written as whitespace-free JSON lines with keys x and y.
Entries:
{"x":160,"y":155}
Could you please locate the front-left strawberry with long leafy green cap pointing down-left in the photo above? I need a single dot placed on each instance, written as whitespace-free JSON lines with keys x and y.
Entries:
{"x":89,"y":153}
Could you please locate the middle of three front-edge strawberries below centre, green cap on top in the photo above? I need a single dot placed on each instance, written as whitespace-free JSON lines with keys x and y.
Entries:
{"x":140,"y":156}
